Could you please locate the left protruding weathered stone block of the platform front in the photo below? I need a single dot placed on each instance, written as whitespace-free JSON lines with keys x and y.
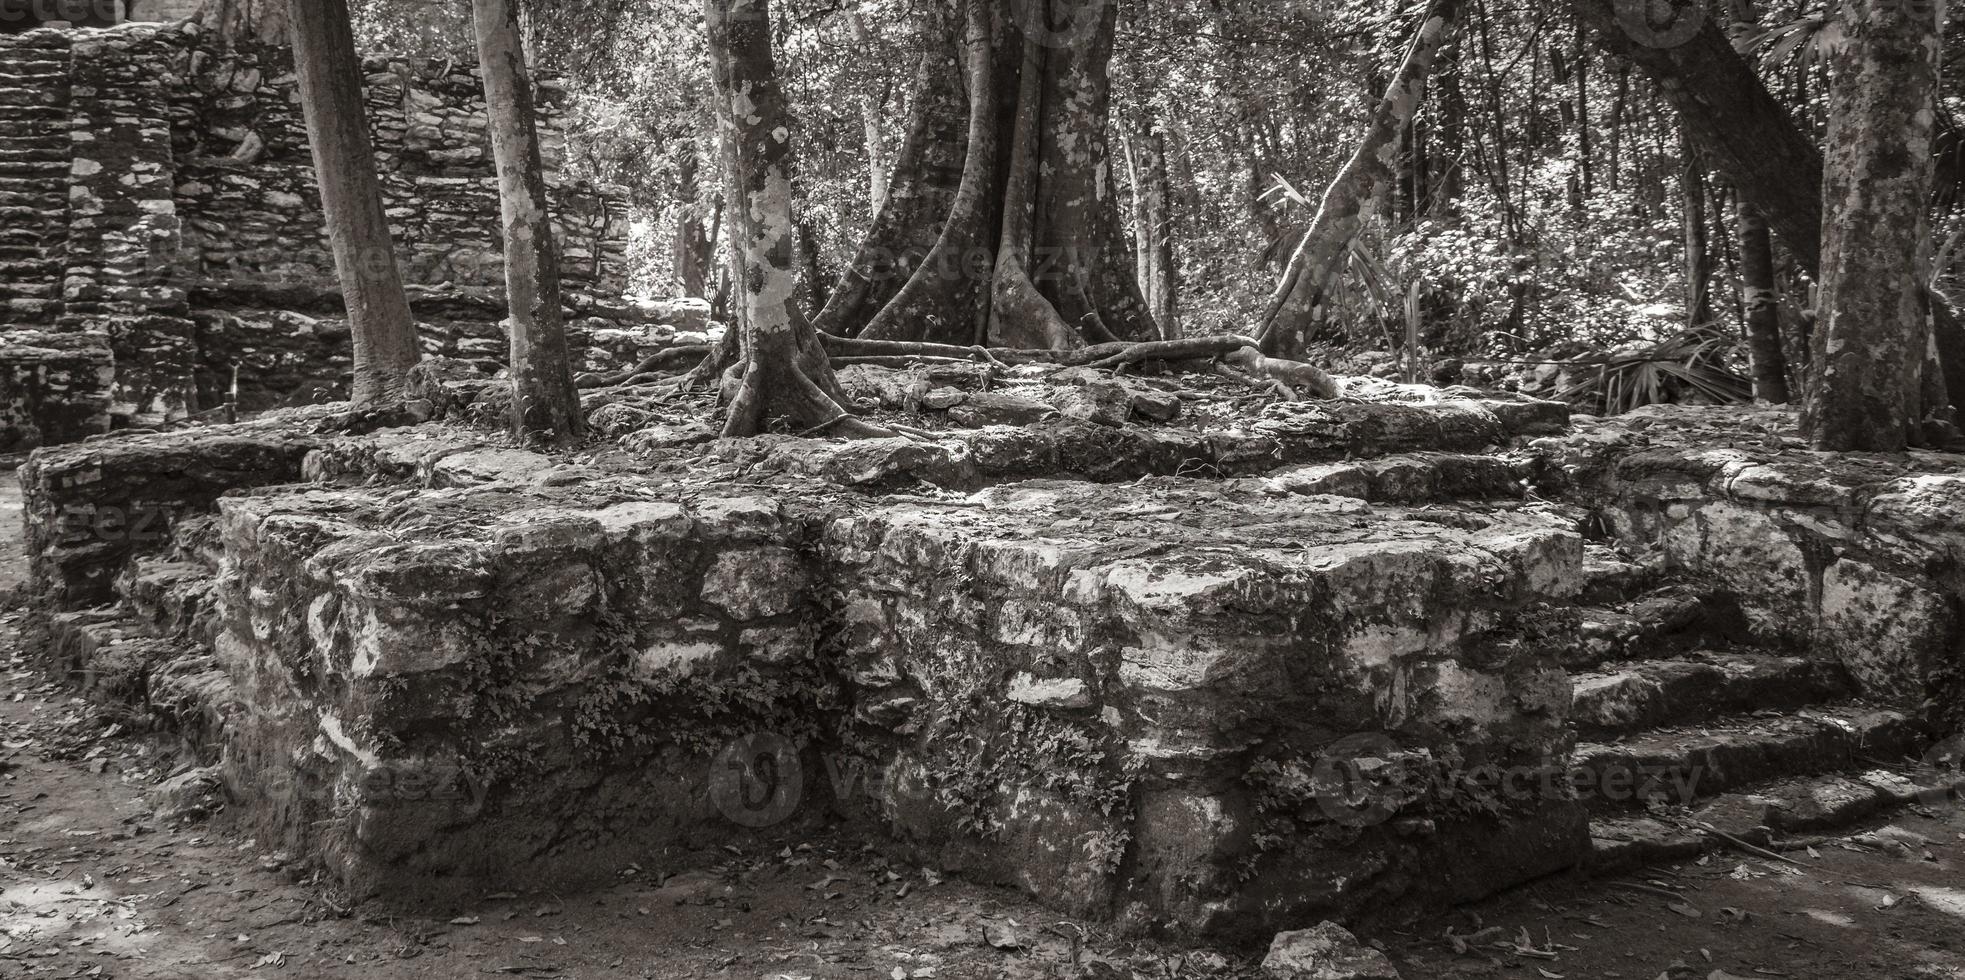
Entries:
{"x":561,"y":657}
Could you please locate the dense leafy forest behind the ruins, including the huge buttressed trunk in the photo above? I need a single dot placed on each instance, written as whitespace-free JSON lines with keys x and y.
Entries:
{"x":1536,"y":197}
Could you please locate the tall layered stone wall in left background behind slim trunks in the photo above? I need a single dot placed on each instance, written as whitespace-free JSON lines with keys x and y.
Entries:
{"x":160,"y":193}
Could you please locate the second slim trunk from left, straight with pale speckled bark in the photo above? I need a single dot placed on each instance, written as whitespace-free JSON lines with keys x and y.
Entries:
{"x":545,"y":402}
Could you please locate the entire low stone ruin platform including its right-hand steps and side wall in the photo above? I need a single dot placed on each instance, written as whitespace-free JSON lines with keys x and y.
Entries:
{"x":1211,"y":681}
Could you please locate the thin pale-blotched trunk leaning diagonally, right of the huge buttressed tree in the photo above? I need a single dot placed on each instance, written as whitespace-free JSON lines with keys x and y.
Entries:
{"x":1355,"y":195}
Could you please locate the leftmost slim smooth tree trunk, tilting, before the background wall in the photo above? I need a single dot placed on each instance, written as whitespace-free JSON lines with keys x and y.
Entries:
{"x":351,"y":197}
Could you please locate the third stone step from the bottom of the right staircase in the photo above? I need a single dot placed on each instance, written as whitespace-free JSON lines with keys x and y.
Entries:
{"x":1701,"y":686}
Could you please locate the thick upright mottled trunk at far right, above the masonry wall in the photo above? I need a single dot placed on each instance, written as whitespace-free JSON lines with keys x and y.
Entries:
{"x":1872,"y":339}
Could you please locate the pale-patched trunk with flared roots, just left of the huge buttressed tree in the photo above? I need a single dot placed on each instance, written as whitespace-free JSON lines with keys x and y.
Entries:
{"x":783,"y":372}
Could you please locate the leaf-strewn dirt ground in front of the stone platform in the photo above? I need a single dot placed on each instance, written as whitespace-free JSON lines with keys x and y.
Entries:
{"x":95,"y":887}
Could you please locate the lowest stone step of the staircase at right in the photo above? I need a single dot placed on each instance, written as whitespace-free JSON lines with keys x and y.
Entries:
{"x":1764,"y":816}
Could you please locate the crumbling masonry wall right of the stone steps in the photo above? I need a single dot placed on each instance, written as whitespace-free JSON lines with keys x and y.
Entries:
{"x":1860,"y":559}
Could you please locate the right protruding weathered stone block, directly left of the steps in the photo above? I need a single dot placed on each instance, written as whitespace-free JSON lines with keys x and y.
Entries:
{"x":1184,"y":639}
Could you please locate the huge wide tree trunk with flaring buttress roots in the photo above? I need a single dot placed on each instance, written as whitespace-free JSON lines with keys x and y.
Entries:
{"x":1003,"y":221}
